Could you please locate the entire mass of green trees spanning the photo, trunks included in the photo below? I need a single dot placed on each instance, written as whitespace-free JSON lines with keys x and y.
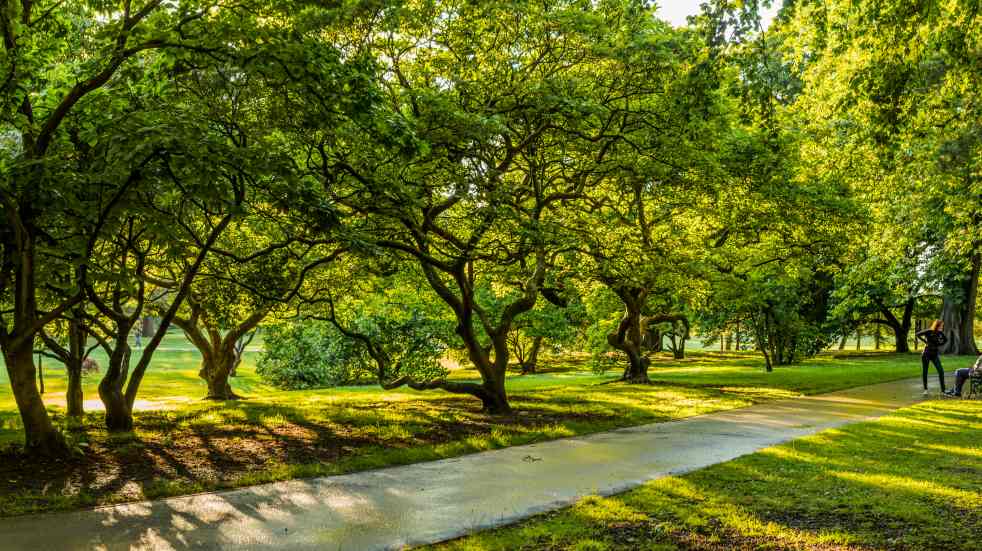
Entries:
{"x":385,"y":185}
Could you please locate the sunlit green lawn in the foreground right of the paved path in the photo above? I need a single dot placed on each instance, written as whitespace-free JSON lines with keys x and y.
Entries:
{"x":911,"y":480}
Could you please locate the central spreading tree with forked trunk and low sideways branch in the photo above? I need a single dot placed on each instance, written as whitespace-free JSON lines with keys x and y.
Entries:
{"x":505,"y":114}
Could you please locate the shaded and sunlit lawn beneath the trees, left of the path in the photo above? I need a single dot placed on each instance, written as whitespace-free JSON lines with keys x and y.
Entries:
{"x":182,"y":444}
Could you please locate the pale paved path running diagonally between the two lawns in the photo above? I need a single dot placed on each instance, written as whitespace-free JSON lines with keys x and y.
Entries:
{"x":428,"y":502}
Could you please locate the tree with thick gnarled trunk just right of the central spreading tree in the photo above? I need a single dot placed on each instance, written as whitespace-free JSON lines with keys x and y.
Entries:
{"x":639,"y":230}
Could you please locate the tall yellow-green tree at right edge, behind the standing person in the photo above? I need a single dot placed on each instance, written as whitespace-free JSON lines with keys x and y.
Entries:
{"x":900,"y":82}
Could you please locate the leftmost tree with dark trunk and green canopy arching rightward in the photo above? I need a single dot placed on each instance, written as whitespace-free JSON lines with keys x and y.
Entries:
{"x":92,"y":123}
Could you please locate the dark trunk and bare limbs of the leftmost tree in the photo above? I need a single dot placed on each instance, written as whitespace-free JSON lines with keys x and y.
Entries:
{"x":21,"y":208}
